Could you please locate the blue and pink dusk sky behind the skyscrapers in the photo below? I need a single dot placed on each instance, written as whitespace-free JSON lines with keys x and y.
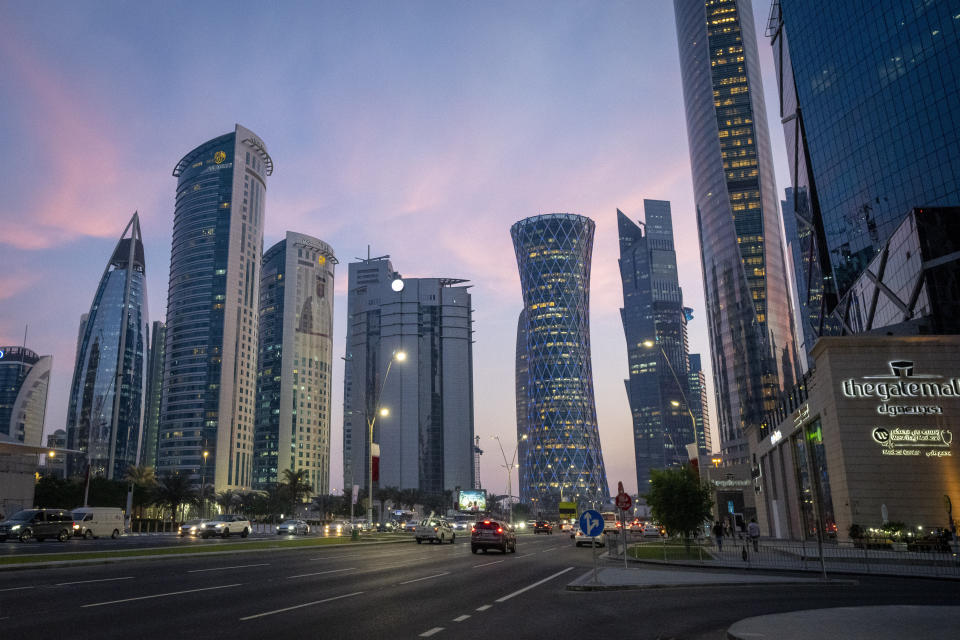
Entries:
{"x":422,"y":129}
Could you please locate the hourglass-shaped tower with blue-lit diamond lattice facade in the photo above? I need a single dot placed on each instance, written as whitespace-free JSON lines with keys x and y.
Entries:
{"x":561,"y":456}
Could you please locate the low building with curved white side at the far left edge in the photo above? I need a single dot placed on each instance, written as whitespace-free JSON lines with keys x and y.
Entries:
{"x":24,"y":381}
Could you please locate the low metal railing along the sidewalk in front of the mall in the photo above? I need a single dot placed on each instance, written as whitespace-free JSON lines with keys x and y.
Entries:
{"x":789,"y":555}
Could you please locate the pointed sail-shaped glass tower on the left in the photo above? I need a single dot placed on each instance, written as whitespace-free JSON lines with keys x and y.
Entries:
{"x":105,"y":409}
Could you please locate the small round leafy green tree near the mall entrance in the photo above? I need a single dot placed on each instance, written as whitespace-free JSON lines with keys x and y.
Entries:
{"x":678,"y":500}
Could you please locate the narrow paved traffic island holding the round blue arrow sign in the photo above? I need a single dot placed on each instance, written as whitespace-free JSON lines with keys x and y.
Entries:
{"x":613,"y":579}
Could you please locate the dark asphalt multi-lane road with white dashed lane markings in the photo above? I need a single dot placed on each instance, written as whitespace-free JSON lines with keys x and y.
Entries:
{"x":395,"y":591}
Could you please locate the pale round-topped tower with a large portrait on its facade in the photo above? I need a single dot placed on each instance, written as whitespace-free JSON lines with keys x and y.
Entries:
{"x":294,"y":368}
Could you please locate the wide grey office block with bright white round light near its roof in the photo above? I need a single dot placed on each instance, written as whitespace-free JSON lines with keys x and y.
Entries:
{"x":426,"y":438}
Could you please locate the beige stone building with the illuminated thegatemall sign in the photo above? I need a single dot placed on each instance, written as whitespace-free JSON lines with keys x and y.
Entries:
{"x":867,"y":438}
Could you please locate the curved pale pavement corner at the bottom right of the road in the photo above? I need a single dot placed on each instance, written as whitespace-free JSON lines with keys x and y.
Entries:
{"x":853,"y":623}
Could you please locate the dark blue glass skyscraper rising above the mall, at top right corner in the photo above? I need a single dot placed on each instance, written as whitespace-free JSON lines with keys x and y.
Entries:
{"x":870,"y":101}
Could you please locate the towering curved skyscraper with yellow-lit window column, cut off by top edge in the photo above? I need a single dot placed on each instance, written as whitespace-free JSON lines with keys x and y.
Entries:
{"x":745,"y":283}
